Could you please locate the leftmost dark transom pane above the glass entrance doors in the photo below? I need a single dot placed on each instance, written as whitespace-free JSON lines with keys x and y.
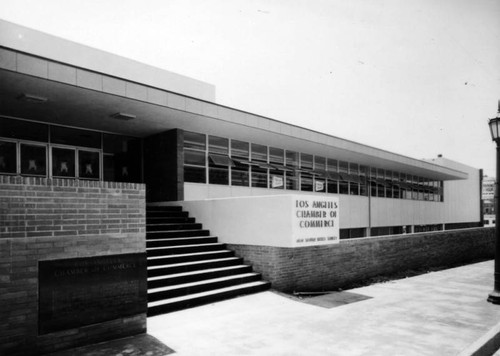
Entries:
{"x":24,"y":130}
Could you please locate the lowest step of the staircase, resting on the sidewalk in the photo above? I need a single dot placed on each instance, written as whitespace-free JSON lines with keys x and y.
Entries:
{"x":172,"y":304}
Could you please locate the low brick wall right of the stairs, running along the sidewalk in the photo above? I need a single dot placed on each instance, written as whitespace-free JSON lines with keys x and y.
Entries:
{"x":330,"y":267}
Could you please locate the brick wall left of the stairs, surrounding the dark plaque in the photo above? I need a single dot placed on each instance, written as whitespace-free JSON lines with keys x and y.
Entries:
{"x":44,"y":219}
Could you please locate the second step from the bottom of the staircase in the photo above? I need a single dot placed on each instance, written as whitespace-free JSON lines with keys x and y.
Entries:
{"x":200,"y":286}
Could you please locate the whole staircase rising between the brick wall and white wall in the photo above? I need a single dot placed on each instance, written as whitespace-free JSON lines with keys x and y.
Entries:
{"x":189,"y":267}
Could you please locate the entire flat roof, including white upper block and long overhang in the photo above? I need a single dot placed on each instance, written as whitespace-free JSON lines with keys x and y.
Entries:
{"x":86,"y":91}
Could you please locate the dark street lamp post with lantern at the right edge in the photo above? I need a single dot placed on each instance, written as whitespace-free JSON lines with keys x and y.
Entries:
{"x":494,"y":297}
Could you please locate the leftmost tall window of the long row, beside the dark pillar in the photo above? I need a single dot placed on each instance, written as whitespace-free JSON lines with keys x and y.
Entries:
{"x":194,"y":157}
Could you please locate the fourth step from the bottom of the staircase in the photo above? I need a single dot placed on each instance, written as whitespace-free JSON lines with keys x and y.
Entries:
{"x":192,"y":266}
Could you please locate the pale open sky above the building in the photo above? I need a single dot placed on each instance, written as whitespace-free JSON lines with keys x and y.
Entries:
{"x":414,"y":77}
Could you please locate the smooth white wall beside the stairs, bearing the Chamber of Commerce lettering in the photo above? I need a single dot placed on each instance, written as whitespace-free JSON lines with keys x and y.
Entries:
{"x":263,"y":220}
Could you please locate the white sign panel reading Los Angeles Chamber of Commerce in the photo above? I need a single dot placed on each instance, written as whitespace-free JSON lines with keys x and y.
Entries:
{"x":315,"y":221}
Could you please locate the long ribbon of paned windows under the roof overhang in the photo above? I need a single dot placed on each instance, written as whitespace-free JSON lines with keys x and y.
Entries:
{"x":218,"y":160}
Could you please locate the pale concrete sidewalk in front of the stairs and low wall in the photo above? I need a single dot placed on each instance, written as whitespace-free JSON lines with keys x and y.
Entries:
{"x":439,"y":313}
